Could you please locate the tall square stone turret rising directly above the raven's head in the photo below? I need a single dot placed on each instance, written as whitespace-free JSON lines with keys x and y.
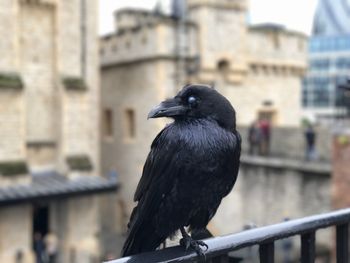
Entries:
{"x":222,"y":36}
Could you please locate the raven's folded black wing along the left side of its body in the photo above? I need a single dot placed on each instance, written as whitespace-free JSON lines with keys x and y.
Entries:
{"x":158,"y":178}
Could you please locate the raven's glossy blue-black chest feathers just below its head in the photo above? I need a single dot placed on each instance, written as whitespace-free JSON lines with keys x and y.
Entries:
{"x":204,"y":152}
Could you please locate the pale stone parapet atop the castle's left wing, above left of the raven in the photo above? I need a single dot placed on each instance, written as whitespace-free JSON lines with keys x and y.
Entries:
{"x":143,"y":35}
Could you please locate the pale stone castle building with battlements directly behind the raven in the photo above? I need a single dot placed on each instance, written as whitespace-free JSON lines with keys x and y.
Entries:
{"x":150,"y":56}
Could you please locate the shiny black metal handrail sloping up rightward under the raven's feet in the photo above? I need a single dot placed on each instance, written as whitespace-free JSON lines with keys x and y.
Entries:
{"x":263,"y":235}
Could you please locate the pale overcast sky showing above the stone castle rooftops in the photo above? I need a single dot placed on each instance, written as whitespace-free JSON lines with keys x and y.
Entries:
{"x":294,"y":14}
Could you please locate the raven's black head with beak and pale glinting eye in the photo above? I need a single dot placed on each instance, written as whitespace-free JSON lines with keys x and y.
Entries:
{"x":197,"y":102}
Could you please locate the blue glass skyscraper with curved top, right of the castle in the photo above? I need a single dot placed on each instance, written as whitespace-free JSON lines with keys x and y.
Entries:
{"x":329,"y":59}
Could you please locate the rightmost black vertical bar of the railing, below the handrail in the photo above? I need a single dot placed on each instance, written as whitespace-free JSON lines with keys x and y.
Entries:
{"x":342,"y":243}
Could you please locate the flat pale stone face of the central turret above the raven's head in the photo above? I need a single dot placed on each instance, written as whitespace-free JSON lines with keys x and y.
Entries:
{"x":216,"y":24}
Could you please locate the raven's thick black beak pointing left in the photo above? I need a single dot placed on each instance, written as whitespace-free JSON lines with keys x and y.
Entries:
{"x":168,"y":108}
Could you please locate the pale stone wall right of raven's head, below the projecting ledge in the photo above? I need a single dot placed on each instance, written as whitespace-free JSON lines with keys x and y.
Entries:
{"x":278,"y":94}
